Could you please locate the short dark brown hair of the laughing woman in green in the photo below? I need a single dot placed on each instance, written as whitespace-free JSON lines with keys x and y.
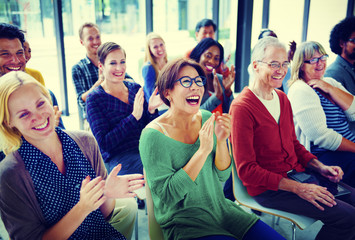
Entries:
{"x":170,"y":72}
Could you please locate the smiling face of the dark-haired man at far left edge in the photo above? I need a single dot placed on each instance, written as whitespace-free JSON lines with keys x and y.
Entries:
{"x":12,"y":57}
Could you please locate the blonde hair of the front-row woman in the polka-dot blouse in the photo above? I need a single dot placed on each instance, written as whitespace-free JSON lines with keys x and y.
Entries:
{"x":10,"y":138}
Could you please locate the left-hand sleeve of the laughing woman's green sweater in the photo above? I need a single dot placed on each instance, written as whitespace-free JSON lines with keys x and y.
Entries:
{"x":168,"y":184}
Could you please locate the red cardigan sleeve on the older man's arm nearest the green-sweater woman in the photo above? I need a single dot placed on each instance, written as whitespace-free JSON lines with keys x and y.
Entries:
{"x":242,"y":138}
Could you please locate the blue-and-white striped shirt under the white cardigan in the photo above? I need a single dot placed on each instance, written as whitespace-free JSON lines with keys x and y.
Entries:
{"x":336,"y":120}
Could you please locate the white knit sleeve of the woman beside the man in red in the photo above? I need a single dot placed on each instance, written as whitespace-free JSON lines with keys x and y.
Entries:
{"x":309,"y":115}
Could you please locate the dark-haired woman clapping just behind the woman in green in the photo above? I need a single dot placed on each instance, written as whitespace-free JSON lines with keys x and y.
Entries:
{"x":218,"y":95}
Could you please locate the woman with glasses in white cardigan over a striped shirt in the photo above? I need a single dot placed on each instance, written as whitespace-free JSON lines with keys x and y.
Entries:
{"x":322,"y":108}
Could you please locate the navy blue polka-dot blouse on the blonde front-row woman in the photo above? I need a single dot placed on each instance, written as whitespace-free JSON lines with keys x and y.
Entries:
{"x":58,"y":193}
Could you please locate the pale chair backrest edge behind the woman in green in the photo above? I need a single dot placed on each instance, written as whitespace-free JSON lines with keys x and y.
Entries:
{"x":155,"y":232}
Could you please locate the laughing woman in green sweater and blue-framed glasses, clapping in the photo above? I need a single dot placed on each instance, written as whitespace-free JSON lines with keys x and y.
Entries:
{"x":185,"y":156}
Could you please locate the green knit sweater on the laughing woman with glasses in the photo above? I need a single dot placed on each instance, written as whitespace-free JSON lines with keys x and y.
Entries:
{"x":187,"y":209}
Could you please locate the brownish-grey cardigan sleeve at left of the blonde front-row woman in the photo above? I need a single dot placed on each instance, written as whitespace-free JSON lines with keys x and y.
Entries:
{"x":19,"y":208}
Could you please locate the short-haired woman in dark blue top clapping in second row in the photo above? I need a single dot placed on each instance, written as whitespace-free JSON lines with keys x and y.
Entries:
{"x":117,"y":112}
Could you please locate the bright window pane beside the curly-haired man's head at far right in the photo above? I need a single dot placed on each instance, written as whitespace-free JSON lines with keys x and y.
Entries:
{"x":320,"y":23}
